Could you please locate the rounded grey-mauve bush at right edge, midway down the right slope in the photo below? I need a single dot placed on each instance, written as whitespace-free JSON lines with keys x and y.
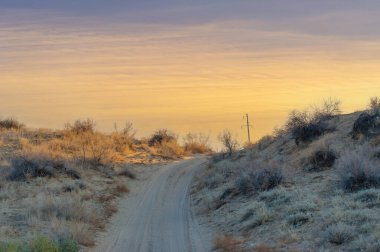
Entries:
{"x":358,"y":170}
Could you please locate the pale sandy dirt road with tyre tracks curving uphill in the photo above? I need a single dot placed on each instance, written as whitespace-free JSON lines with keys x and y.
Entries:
{"x":156,"y":216}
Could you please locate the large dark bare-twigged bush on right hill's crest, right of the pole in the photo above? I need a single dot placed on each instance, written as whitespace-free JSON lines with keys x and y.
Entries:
{"x":306,"y":126}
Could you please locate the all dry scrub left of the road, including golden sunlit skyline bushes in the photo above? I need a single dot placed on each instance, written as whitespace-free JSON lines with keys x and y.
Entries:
{"x":59,"y":188}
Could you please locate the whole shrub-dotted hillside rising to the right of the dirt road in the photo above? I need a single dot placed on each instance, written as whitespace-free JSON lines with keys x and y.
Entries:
{"x":320,"y":194}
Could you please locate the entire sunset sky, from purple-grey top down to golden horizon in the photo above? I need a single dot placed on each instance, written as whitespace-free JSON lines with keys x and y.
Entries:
{"x":184,"y":65}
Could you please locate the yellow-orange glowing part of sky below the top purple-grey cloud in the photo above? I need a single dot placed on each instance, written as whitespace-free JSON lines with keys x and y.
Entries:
{"x":184,"y":79}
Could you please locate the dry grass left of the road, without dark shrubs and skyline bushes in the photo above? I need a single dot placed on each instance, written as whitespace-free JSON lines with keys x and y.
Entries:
{"x":61,"y":206}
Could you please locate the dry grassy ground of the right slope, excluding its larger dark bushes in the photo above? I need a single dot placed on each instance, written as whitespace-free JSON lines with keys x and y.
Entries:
{"x":308,"y":212}
